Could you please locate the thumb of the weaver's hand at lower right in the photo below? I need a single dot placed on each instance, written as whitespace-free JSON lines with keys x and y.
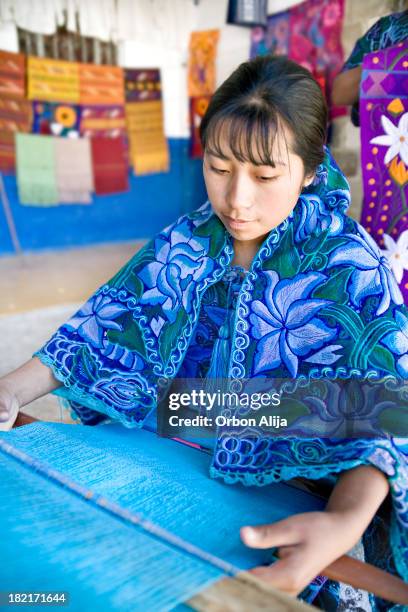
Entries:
{"x":282,"y":533}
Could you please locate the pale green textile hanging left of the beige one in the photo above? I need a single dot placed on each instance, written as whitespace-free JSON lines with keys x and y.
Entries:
{"x":36,"y":177}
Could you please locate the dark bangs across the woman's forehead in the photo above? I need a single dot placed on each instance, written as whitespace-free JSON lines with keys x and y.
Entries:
{"x":252,"y":134}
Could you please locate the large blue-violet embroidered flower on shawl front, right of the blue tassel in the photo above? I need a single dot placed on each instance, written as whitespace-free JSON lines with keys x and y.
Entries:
{"x":285,"y":323}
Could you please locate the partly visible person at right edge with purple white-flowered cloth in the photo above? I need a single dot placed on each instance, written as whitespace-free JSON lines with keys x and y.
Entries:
{"x":373,"y":80}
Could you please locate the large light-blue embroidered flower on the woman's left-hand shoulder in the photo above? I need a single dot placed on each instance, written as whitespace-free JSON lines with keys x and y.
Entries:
{"x":180,"y":259}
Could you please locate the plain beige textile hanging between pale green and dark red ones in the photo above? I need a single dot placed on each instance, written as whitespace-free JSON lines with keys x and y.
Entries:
{"x":73,"y":164}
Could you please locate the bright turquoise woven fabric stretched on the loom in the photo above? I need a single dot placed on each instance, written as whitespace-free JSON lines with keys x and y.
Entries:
{"x":53,"y":538}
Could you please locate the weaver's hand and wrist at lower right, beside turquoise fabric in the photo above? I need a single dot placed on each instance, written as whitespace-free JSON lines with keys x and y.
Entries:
{"x":307,"y":543}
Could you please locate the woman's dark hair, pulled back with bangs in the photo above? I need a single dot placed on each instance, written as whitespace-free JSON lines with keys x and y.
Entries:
{"x":260,"y":96}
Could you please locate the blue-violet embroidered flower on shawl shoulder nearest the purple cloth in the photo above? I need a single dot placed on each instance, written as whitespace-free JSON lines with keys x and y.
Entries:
{"x":372,"y":274}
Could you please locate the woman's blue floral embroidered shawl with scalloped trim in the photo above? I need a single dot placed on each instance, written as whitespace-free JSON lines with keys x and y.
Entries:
{"x":319,"y":305}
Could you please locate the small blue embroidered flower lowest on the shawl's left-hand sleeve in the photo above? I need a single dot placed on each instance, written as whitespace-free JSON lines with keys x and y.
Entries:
{"x":95,"y":317}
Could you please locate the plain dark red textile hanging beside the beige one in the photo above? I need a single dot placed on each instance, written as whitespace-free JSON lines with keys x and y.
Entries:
{"x":110,"y":174}
